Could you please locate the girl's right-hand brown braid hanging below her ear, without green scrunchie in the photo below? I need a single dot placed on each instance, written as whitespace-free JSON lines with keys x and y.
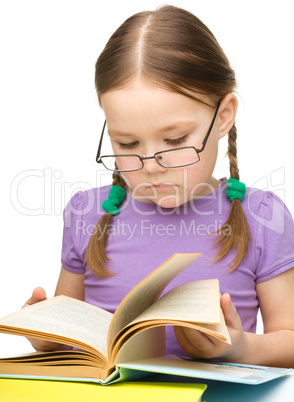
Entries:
{"x":239,"y":234}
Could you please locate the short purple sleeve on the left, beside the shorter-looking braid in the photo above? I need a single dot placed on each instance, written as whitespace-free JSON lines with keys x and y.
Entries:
{"x":70,"y":256}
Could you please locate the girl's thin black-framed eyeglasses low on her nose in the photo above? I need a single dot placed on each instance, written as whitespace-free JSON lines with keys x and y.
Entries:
{"x":142,"y":158}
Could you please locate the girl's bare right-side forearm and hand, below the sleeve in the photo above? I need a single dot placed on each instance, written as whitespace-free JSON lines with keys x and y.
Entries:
{"x":274,"y":348}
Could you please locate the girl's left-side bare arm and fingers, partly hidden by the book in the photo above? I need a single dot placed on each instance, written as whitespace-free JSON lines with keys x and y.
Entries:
{"x":69,"y":284}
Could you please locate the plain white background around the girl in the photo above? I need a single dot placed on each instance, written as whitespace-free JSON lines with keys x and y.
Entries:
{"x":50,"y":121}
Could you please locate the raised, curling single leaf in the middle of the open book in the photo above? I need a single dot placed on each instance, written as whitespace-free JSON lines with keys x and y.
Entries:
{"x":147,"y":291}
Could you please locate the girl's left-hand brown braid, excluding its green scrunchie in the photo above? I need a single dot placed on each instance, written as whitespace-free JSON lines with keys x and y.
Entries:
{"x":96,"y":250}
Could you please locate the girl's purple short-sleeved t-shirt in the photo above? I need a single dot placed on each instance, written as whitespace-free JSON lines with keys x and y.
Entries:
{"x":144,"y":235}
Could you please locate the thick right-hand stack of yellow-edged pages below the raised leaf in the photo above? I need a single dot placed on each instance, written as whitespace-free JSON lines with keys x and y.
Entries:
{"x":193,"y":304}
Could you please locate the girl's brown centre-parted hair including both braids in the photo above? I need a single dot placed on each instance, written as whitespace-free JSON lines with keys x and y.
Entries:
{"x":174,"y":50}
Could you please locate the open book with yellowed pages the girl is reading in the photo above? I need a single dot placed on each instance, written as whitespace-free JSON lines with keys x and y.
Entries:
{"x":107,"y":342}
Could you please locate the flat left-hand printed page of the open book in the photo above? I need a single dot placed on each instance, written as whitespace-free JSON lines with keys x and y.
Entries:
{"x":65,"y":317}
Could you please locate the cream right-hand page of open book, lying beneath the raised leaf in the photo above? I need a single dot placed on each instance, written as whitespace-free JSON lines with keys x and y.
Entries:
{"x":197,"y":301}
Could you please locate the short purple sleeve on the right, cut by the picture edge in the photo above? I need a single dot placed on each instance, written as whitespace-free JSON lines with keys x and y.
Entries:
{"x":274,"y":238}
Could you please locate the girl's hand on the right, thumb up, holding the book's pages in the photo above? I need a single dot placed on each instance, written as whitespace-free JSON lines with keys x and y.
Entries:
{"x":202,"y":346}
